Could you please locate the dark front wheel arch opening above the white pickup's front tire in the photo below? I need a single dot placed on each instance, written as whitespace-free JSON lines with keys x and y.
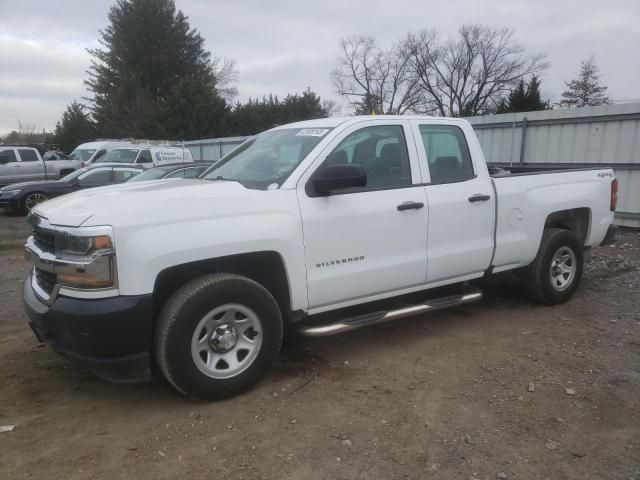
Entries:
{"x":265,"y":267}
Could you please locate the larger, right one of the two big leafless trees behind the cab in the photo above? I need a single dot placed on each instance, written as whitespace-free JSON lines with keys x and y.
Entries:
{"x":470,"y":73}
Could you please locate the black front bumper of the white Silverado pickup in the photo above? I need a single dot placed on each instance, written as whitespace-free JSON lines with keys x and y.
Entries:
{"x":110,"y":336}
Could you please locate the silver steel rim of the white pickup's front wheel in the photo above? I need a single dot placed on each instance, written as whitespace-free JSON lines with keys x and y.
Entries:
{"x":226,"y":341}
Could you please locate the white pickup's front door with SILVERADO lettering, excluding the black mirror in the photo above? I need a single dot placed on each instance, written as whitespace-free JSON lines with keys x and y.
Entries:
{"x":366,"y":240}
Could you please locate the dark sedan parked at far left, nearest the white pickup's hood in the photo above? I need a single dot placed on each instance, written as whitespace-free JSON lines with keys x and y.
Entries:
{"x":22,"y":197}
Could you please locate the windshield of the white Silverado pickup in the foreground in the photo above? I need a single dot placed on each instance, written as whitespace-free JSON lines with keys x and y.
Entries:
{"x":267,"y":159}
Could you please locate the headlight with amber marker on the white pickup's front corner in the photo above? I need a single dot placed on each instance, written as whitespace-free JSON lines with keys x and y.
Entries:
{"x":88,"y":258}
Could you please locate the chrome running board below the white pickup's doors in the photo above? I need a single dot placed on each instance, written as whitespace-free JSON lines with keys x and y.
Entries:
{"x":375,"y":318}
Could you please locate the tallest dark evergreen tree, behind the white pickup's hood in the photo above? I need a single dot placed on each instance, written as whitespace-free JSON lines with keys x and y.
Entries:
{"x":153,"y":77}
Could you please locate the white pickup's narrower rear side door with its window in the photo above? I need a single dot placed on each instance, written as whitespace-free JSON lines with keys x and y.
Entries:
{"x":461,"y":203}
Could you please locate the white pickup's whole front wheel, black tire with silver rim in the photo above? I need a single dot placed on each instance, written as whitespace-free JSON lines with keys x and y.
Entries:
{"x":217,"y":336}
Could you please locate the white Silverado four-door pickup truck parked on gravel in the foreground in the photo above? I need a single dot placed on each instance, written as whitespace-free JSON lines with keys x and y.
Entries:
{"x":320,"y":226}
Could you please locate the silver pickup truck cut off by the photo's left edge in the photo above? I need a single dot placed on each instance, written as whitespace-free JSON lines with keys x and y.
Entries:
{"x":22,"y":164}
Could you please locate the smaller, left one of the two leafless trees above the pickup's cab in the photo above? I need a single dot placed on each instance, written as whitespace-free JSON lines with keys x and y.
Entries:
{"x":373,"y":80}
